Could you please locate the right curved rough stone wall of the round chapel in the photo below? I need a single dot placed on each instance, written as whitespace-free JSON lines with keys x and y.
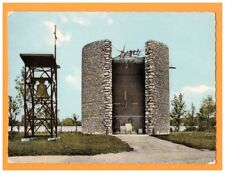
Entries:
{"x":157,"y":119}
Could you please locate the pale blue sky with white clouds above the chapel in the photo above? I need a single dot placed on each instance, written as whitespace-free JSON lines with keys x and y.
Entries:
{"x":190,"y":38}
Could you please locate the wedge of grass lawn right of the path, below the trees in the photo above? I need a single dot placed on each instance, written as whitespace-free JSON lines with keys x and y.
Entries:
{"x":195,"y":139}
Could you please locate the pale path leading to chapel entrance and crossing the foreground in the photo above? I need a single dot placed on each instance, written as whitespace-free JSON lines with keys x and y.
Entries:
{"x":147,"y":149}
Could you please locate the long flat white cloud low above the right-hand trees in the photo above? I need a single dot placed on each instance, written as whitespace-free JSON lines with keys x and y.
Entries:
{"x":197,"y":89}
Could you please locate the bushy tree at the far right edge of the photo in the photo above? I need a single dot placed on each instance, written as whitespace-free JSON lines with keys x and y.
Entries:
{"x":206,"y":115}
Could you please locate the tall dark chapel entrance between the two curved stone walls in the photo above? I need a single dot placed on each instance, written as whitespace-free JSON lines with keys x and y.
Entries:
{"x":128,"y":90}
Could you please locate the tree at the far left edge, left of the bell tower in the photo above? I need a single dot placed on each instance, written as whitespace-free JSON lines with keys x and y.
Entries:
{"x":14,"y":110}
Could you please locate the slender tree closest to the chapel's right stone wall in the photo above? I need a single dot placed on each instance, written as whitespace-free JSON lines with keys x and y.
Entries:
{"x":178,"y":110}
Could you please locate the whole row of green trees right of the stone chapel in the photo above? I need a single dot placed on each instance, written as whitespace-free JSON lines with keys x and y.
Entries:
{"x":202,"y":120}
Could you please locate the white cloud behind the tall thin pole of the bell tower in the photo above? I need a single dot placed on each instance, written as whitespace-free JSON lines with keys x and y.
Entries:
{"x":61,"y":37}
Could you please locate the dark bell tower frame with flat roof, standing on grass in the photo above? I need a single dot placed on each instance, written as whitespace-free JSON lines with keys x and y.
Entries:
{"x":40,"y":110}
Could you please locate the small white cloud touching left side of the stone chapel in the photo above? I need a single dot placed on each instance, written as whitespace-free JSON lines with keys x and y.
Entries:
{"x":74,"y":79}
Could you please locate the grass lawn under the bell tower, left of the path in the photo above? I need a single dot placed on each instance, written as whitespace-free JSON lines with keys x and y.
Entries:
{"x":69,"y":144}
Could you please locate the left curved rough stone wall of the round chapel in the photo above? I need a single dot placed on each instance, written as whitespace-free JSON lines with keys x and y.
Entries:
{"x":97,"y":87}
